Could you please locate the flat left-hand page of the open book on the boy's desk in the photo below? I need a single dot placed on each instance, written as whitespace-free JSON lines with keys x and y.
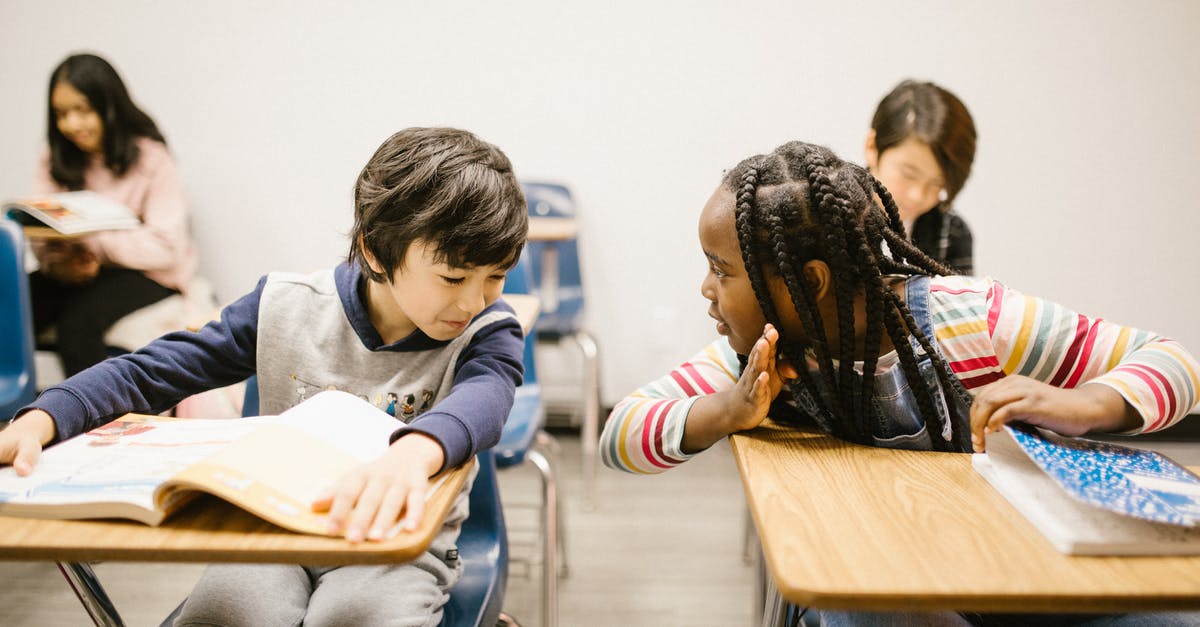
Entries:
{"x":113,"y":471}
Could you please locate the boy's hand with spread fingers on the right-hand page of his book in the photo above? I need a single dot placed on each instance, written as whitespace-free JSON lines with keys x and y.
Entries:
{"x":367,"y":503}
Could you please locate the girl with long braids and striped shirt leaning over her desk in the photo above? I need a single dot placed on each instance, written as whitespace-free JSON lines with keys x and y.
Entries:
{"x":832,"y":317}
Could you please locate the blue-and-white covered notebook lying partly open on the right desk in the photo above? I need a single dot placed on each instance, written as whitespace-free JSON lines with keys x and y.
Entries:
{"x":1094,"y":498}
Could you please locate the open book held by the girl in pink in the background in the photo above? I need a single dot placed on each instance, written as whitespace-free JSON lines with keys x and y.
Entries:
{"x":69,"y":214}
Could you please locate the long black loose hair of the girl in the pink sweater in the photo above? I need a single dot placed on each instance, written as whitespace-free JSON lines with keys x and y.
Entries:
{"x":124,"y":122}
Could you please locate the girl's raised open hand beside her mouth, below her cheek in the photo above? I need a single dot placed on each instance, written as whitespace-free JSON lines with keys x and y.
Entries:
{"x":748,"y":403}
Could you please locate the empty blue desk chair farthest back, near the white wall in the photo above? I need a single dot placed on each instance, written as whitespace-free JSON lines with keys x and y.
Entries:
{"x":557,"y":282}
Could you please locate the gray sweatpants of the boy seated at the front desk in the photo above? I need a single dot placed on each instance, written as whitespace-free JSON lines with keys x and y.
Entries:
{"x":405,"y":595}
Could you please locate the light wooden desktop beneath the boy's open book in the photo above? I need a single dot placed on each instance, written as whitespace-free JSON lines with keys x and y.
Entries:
{"x":211,"y":530}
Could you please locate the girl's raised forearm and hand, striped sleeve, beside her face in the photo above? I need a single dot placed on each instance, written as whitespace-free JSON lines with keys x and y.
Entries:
{"x":667,"y":422}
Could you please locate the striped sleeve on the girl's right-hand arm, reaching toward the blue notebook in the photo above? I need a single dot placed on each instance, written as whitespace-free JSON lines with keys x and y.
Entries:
{"x":987,"y":332}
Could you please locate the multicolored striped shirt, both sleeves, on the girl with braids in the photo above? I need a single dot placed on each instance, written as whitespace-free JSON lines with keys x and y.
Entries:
{"x":985,"y":330}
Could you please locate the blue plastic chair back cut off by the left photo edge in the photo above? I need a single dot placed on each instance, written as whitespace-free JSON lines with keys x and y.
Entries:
{"x":17,"y":379}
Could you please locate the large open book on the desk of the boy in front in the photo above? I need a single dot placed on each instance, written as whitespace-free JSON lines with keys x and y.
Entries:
{"x":146,"y":468}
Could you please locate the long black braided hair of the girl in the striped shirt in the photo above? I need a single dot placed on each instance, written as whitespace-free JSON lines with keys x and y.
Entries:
{"x":802,"y":204}
